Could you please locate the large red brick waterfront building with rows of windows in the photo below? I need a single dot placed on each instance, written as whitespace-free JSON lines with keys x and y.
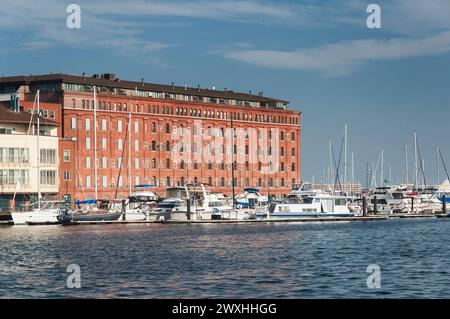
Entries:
{"x":266,"y":147}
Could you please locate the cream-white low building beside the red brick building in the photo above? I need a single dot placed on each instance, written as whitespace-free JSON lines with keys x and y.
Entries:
{"x":19,"y":157}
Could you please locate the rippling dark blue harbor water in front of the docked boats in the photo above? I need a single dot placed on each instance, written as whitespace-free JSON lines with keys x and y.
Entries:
{"x":261,"y":260}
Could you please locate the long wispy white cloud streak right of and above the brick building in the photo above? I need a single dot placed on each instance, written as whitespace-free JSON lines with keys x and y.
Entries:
{"x":345,"y":57}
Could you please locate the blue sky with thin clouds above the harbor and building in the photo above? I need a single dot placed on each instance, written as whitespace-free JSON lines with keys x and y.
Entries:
{"x":320,"y":55}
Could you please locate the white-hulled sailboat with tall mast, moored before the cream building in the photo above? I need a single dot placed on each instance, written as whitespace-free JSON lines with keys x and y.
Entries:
{"x":42,"y":214}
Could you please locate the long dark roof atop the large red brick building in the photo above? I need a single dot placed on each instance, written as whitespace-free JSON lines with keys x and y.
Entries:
{"x":117,"y":83}
